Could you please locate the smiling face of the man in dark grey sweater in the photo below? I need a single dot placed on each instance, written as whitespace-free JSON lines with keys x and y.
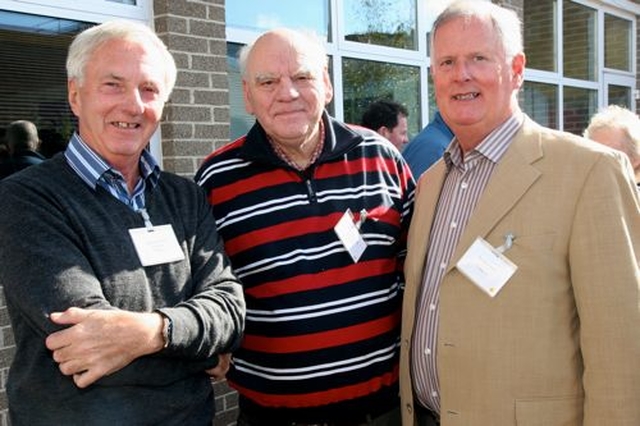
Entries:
{"x":120,"y":101}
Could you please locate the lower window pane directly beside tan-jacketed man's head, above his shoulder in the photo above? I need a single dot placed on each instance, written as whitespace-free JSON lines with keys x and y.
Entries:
{"x":540,"y":102}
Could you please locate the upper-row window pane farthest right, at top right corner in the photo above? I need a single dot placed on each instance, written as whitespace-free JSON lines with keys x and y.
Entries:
{"x":617,"y":43}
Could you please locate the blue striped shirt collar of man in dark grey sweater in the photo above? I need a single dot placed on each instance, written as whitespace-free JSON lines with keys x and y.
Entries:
{"x":90,"y":166}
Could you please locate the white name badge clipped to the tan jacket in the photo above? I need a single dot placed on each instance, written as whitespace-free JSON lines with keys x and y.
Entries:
{"x":486,"y":267}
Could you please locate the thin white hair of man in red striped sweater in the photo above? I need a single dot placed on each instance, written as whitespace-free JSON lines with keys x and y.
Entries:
{"x":314,"y":47}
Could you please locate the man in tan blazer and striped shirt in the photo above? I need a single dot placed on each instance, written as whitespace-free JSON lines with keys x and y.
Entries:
{"x":522,"y":300}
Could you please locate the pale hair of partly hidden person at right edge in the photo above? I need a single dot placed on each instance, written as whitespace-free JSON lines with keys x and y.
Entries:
{"x":617,"y":117}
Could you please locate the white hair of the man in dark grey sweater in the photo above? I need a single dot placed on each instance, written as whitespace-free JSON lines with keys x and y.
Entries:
{"x":91,"y":39}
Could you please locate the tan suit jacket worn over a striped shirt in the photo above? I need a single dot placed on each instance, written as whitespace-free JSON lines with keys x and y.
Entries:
{"x":560,"y":343}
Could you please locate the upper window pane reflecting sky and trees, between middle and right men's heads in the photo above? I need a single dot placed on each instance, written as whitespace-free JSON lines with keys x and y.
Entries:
{"x":382,"y":22}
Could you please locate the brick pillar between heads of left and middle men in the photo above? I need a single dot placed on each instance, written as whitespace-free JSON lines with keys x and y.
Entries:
{"x":196,"y":118}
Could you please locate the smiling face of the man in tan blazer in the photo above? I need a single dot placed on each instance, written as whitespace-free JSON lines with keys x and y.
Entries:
{"x":475,"y":84}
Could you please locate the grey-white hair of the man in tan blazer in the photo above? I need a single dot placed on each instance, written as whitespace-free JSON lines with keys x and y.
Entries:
{"x":505,"y":22}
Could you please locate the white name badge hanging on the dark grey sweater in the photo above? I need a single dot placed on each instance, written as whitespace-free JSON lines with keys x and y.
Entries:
{"x":156,"y":245}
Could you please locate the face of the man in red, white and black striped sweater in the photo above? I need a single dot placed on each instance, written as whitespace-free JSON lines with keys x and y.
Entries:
{"x":286,"y":88}
